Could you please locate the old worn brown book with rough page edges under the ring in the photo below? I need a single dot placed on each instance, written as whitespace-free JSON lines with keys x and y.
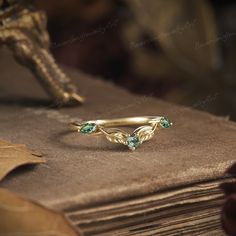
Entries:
{"x":168,"y":186}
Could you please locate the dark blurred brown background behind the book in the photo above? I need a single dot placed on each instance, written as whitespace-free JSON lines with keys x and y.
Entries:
{"x":179,"y":51}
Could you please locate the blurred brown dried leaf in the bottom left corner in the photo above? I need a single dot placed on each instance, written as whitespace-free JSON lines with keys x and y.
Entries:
{"x":22,"y":217}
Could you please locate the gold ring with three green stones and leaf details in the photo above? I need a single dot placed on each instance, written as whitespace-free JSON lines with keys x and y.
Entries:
{"x":148,"y":126}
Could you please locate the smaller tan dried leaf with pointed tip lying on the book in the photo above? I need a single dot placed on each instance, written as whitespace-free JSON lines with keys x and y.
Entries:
{"x":15,"y":155}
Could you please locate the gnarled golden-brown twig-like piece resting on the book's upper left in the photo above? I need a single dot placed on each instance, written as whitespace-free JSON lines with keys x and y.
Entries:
{"x":23,"y":30}
